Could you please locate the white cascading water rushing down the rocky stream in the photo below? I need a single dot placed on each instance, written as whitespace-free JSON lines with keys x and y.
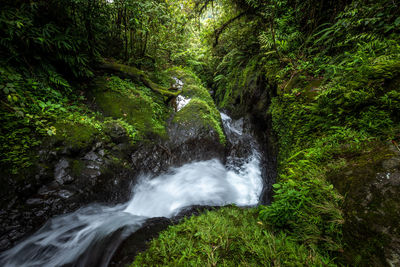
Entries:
{"x":90,"y":235}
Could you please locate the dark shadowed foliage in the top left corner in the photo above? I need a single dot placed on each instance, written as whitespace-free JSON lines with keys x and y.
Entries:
{"x":31,"y":32}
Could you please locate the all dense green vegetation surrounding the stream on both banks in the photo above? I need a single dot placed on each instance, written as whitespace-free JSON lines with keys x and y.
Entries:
{"x":326,"y":74}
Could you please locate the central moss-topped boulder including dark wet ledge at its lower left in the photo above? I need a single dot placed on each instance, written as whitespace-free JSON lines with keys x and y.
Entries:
{"x":194,"y":132}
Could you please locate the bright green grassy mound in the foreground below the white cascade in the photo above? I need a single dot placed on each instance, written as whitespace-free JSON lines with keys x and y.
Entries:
{"x":228,"y":237}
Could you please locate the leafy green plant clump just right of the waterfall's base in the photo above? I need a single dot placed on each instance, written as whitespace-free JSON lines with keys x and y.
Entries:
{"x":307,"y":208}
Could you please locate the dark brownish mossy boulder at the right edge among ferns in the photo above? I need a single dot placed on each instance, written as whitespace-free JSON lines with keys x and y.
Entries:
{"x":371,"y":183}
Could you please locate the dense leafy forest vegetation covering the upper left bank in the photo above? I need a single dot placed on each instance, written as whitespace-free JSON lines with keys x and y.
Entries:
{"x":50,"y":51}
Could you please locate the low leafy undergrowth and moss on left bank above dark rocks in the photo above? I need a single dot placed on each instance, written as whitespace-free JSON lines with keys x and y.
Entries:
{"x":35,"y":109}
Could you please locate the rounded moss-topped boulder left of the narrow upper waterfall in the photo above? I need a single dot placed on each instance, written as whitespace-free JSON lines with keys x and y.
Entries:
{"x":197,"y":126}
